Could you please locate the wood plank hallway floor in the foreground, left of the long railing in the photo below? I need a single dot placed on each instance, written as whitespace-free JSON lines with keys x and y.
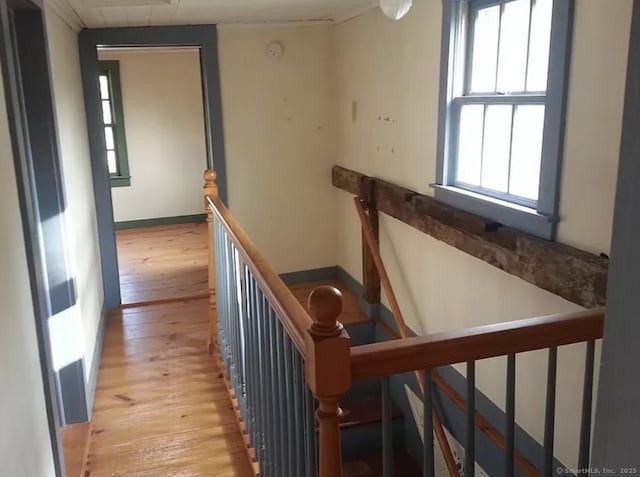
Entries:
{"x":161,"y":406}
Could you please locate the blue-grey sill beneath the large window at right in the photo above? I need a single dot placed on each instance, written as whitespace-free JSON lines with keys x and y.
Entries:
{"x":506,"y":213}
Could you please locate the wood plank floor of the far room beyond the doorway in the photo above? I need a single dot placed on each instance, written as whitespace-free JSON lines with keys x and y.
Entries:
{"x":162,"y":263}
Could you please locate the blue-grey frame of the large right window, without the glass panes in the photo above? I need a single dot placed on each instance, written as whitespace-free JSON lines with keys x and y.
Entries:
{"x":539,"y":217}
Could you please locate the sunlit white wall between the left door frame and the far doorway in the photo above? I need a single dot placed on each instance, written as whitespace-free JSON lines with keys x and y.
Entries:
{"x":82,"y":321}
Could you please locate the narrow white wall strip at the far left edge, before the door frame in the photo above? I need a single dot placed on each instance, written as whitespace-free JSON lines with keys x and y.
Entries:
{"x":25,"y":448}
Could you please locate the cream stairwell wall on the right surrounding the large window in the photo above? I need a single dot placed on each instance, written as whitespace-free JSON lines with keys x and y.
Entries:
{"x":391,"y":69}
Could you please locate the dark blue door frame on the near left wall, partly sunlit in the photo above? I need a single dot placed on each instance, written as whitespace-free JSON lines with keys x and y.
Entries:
{"x":32,"y":127}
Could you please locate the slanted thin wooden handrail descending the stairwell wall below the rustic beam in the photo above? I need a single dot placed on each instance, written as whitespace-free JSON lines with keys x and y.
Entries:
{"x":402,"y":328}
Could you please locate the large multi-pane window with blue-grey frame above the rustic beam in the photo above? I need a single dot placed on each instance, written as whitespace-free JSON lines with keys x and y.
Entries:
{"x":502,"y":109}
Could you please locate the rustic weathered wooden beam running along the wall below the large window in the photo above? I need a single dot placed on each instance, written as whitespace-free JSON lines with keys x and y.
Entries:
{"x":578,"y":276}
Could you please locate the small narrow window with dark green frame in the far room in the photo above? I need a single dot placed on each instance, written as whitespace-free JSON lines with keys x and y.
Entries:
{"x":113,"y":120}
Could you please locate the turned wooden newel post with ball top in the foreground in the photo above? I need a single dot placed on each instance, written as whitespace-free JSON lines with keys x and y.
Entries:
{"x":328,"y":372}
